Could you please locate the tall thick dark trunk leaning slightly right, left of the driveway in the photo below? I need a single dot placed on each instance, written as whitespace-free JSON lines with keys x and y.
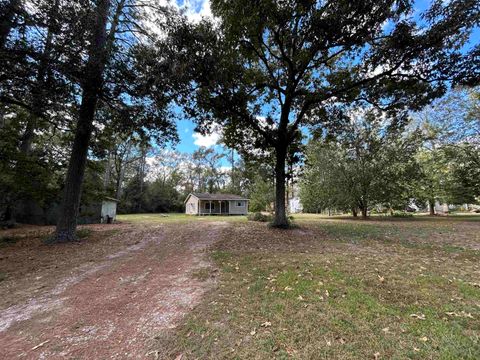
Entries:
{"x":91,"y":88}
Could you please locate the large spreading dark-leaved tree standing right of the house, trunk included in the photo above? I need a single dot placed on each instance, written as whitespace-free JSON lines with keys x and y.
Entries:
{"x":295,"y":63}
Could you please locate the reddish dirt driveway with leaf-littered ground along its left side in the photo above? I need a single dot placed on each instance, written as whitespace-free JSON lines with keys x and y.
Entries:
{"x":103,"y":298}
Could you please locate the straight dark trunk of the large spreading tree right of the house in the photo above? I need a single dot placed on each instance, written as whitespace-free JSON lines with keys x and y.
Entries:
{"x":280,"y":219}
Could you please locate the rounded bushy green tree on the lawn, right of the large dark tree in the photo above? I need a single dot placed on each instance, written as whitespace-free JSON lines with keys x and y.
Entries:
{"x":370,"y":161}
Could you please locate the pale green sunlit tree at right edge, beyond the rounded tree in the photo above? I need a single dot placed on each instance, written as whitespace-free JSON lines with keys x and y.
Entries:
{"x":450,"y":158}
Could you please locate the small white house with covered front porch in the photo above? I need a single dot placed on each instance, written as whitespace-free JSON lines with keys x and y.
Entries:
{"x":215,"y":204}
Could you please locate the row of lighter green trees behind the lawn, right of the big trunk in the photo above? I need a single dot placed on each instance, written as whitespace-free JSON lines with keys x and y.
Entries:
{"x":394,"y":163}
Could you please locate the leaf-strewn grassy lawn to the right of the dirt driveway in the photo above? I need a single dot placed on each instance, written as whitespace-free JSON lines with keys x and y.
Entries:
{"x":339,"y":288}
